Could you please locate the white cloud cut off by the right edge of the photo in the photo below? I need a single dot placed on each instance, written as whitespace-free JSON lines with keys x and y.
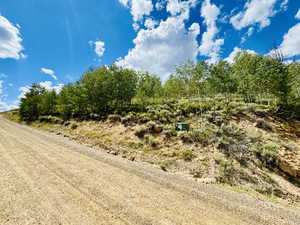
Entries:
{"x":290,"y":45}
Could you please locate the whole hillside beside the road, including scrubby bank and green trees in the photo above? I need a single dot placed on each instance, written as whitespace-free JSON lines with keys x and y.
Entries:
{"x":243,"y":120}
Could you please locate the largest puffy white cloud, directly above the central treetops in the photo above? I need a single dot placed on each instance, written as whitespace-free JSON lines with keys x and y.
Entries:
{"x":159,"y":50}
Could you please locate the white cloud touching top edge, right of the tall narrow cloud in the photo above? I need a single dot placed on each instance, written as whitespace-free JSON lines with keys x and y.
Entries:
{"x":255,"y":12}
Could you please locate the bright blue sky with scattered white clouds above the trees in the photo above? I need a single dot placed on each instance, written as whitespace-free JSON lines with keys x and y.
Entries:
{"x":53,"y":42}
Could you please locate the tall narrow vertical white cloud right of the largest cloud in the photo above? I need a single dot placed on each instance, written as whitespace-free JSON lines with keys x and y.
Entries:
{"x":210,"y":46}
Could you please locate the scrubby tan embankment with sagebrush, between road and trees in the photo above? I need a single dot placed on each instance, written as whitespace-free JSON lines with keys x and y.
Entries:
{"x":244,"y":146}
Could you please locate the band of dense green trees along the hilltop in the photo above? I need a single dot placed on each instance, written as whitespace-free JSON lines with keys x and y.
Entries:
{"x":111,"y":89}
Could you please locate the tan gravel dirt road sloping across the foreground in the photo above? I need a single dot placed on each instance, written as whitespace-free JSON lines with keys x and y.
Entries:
{"x":47,"y":179}
